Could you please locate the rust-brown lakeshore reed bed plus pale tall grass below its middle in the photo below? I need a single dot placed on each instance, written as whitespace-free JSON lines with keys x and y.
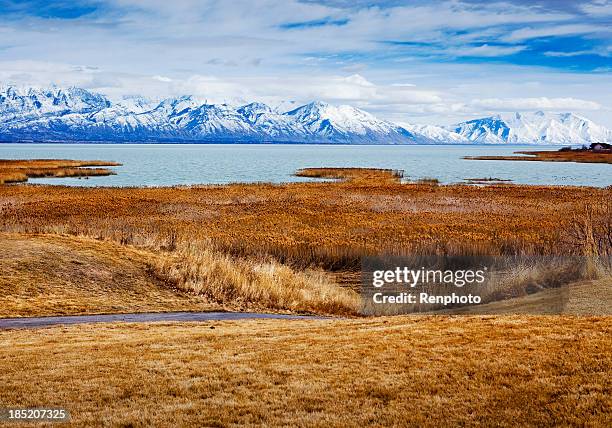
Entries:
{"x":261,"y":242}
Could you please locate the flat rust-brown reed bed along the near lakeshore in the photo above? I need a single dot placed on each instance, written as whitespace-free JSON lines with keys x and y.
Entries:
{"x":327,"y":224}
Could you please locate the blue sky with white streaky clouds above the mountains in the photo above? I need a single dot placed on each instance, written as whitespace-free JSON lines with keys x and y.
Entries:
{"x":406,"y":61}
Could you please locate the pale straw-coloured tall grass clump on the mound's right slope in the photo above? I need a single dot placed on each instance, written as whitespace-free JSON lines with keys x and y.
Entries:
{"x":221,"y":278}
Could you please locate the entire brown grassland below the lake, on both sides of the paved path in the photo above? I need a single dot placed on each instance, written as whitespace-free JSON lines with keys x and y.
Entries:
{"x":296,"y":248}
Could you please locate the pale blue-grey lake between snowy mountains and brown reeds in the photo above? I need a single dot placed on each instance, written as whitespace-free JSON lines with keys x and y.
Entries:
{"x":184,"y":164}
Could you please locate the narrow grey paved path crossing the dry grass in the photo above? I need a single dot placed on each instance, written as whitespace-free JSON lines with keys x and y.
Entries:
{"x":36,"y":322}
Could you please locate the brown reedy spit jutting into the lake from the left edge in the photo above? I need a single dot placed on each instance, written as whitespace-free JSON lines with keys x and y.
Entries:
{"x":19,"y":170}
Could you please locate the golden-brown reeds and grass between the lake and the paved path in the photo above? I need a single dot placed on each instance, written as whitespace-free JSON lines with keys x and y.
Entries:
{"x":293,"y":247}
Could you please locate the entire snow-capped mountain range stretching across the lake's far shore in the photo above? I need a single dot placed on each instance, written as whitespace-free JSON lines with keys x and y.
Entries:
{"x":74,"y":114}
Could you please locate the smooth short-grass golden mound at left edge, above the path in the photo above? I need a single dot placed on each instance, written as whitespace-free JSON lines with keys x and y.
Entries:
{"x":53,"y":275}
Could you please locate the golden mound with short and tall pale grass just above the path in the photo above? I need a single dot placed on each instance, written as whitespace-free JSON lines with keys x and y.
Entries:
{"x":55,"y":275}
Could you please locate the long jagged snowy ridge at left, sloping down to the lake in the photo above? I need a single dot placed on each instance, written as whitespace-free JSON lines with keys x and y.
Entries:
{"x":75,"y":114}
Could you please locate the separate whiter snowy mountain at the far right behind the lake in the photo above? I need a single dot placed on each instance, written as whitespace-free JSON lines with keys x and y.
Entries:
{"x":533,"y":128}
